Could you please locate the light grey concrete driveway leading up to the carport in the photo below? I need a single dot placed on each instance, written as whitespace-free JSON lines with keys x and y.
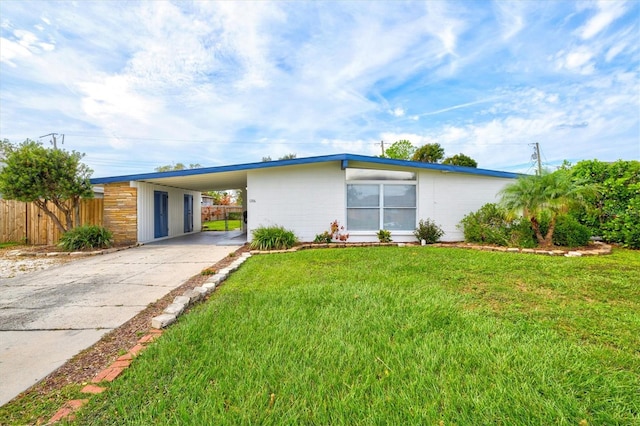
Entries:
{"x":48,"y":316}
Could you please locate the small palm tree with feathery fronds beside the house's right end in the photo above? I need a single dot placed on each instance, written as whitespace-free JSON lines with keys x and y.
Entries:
{"x":551,"y":193}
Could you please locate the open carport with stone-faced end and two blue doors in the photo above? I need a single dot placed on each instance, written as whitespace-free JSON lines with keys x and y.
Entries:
{"x":153,"y":207}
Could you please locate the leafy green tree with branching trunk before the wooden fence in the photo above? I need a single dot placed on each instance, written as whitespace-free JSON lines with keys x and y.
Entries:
{"x":45,"y":176}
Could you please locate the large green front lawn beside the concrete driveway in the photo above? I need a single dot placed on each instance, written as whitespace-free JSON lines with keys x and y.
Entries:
{"x":413,"y":335}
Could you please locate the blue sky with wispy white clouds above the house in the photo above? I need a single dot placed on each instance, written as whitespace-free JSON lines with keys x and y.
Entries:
{"x":136,"y":85}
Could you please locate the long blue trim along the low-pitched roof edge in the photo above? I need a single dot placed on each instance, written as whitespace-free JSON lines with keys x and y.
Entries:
{"x":344,"y":159}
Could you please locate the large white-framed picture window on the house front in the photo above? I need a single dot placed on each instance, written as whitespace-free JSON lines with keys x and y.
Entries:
{"x":374,"y":206}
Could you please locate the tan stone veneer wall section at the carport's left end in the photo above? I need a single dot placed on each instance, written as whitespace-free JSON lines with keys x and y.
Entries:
{"x":121,"y":212}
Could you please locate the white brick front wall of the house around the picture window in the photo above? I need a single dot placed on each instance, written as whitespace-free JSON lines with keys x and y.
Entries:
{"x":306,"y":199}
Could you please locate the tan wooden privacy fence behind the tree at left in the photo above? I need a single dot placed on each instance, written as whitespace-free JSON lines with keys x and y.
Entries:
{"x":20,"y":221}
